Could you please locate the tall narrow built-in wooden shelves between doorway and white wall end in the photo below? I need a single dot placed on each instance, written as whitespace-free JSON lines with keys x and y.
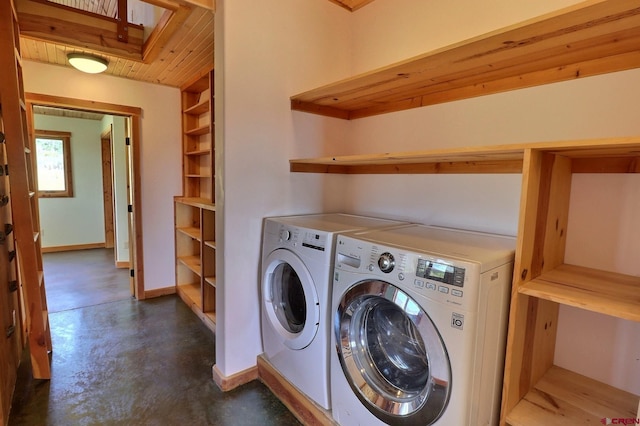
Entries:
{"x":195,"y":209}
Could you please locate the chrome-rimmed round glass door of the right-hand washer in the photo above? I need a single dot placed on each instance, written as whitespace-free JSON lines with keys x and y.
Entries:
{"x":392,"y":354}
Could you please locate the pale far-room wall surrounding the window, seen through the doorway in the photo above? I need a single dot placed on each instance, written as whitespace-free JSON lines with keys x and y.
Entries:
{"x":76,"y":220}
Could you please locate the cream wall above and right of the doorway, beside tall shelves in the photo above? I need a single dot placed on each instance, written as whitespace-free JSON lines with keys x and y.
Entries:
{"x":160,"y":150}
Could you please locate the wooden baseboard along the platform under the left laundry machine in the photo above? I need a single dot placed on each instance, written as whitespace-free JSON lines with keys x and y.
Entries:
{"x":305,"y":410}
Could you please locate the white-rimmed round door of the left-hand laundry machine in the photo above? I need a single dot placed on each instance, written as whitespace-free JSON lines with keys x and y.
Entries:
{"x":290,"y":298}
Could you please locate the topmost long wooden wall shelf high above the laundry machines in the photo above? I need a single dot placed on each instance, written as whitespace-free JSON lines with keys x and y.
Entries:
{"x":591,"y":38}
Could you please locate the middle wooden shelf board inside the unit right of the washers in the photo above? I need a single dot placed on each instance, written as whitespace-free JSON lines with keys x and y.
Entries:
{"x":591,"y":289}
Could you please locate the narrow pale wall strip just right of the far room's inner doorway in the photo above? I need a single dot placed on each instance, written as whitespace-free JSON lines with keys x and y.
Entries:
{"x":119,"y":183}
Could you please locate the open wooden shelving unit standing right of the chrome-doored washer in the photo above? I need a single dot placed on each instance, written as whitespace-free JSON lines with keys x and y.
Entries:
{"x":535,"y":390}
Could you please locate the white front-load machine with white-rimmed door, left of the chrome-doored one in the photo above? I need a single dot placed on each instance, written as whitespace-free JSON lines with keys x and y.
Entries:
{"x":297,"y":259}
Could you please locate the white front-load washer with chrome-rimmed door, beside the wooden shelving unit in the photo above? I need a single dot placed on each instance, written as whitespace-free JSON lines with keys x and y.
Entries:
{"x":419,"y":326}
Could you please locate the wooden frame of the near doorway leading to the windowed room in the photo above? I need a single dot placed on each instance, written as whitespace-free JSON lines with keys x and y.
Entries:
{"x":134,"y":113}
